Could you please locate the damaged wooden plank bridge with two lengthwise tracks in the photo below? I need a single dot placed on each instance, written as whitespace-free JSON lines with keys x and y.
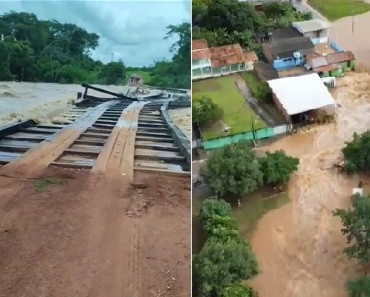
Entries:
{"x":118,"y":134}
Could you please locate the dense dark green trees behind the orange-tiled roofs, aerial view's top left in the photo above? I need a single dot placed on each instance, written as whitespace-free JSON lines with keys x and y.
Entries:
{"x":223,"y":22}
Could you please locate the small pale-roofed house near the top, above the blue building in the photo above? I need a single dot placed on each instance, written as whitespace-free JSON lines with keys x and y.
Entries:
{"x":316,"y":29}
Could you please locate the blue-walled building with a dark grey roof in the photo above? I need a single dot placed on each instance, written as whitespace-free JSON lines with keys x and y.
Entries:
{"x":288,"y":53}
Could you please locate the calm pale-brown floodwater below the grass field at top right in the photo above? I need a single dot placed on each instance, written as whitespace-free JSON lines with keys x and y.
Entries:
{"x":356,"y":41}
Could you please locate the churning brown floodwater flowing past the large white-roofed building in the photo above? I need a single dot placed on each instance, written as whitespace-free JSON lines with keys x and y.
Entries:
{"x":300,"y":245}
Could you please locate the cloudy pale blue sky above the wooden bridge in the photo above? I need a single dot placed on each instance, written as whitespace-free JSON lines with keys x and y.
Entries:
{"x":130,"y":30}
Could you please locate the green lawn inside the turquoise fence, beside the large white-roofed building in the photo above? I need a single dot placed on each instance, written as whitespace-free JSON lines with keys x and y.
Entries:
{"x":236,"y":113}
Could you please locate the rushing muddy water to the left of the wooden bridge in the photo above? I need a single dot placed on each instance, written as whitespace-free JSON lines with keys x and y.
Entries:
{"x":40,"y":101}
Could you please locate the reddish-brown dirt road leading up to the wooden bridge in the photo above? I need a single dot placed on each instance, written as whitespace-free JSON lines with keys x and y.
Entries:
{"x":95,"y":236}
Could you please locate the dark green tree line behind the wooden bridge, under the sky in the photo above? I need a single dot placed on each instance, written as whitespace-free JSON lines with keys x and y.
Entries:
{"x":49,"y":51}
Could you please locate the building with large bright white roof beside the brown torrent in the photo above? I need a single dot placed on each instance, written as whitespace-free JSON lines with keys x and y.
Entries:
{"x":301,"y":97}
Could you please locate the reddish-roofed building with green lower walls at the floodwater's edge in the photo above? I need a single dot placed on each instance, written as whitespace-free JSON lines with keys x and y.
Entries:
{"x":334,"y":64}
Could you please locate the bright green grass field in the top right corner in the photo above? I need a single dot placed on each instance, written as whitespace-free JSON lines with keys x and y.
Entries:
{"x":336,"y":9}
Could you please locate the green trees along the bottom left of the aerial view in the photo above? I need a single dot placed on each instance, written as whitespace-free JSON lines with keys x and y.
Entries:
{"x":226,"y":258}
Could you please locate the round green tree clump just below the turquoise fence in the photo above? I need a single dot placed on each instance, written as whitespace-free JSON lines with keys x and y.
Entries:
{"x":236,"y":170}
